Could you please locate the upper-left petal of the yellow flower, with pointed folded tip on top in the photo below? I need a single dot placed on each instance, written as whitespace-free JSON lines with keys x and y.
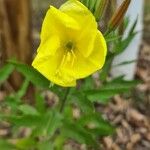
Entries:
{"x":56,"y":22}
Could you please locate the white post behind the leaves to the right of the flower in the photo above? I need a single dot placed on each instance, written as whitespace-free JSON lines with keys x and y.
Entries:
{"x":131,"y":53}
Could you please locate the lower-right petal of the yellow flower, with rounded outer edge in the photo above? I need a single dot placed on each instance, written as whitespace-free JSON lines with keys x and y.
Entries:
{"x":82,"y":66}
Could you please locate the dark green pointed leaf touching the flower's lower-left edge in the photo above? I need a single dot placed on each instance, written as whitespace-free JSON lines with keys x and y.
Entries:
{"x":31,"y":74}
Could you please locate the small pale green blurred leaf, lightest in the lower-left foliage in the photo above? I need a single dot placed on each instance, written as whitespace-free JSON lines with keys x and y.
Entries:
{"x":28,"y":110}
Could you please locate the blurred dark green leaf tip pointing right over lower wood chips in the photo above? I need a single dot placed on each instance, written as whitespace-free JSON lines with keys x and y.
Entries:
{"x":97,"y":125}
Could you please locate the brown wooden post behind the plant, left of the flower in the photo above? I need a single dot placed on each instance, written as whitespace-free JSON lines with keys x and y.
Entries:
{"x":15,"y":32}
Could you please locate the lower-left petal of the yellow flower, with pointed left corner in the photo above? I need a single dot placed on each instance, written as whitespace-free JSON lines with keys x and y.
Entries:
{"x":49,"y":65}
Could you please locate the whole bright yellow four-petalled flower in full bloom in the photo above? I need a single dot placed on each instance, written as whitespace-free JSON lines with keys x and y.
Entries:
{"x":71,"y":46}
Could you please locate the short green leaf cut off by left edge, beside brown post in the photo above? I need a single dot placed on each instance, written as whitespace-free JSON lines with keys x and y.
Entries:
{"x":5,"y":71}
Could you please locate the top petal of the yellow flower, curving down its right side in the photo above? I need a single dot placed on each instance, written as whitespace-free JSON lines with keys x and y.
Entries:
{"x":86,"y":36}
